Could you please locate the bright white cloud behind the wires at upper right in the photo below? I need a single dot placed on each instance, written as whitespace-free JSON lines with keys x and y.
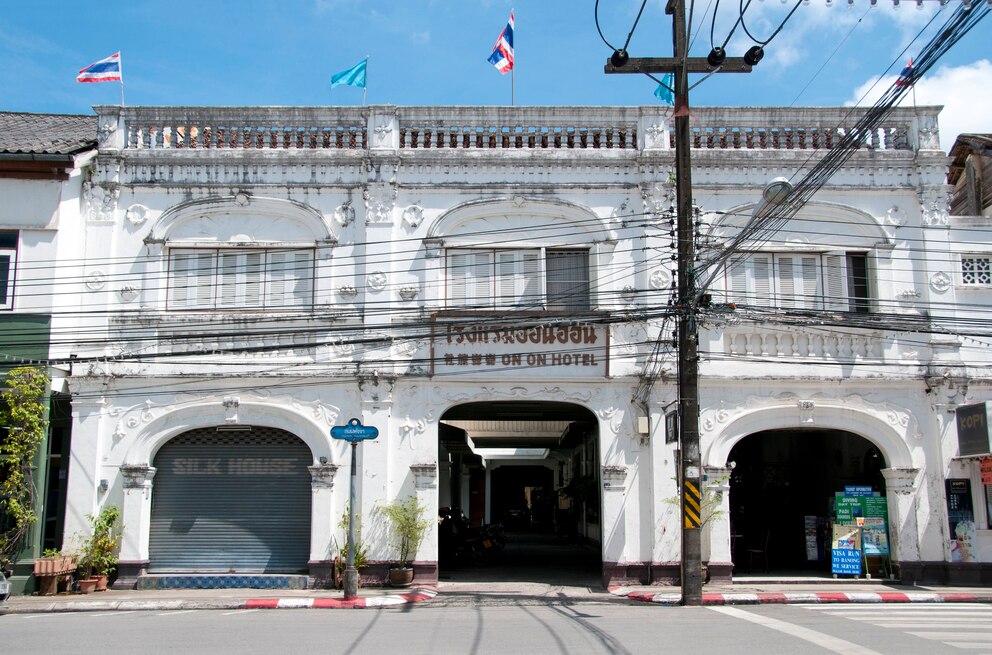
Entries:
{"x":964,"y":91}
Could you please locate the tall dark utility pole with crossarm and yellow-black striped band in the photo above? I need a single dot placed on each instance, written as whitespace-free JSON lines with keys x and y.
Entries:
{"x":688,"y":336}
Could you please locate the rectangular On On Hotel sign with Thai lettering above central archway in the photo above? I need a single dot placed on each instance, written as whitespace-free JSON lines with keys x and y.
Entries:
{"x":573,"y":348}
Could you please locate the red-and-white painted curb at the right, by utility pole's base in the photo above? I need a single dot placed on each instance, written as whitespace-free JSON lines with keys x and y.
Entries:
{"x":760,"y":598}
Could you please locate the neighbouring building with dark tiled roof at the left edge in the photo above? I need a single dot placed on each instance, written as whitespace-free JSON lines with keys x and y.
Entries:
{"x":42,"y":159}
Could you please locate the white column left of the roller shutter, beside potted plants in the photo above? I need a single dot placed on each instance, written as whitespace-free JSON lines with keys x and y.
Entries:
{"x":136,"y":517}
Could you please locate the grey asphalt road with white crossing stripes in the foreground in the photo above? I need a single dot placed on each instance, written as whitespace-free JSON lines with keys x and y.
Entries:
{"x":901,"y":629}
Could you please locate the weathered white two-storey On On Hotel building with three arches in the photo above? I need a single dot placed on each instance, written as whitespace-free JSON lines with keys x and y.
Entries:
{"x":491,"y":287}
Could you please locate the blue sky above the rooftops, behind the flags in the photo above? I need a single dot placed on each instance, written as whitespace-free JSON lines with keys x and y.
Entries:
{"x":433,"y":52}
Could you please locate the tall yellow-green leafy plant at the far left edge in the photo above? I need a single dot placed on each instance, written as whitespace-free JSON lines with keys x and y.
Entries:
{"x":22,"y":431}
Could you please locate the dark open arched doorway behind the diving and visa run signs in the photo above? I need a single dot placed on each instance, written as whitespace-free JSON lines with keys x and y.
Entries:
{"x":783,"y":485}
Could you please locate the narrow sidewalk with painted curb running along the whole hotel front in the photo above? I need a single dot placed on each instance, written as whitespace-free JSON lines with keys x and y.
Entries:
{"x":744,"y":591}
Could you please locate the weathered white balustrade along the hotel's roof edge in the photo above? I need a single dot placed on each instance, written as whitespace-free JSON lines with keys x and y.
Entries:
{"x":388,"y":127}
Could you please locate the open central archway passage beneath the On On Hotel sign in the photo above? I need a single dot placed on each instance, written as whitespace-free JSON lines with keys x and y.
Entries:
{"x":533,"y":467}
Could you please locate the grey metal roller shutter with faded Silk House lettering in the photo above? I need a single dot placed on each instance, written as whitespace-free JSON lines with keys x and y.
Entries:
{"x":231,"y":501}
